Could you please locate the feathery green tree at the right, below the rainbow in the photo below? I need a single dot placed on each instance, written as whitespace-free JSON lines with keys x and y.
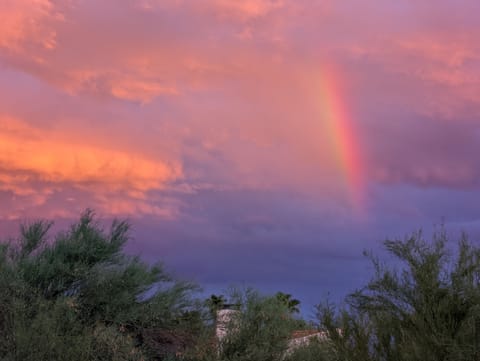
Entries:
{"x":425,"y":309}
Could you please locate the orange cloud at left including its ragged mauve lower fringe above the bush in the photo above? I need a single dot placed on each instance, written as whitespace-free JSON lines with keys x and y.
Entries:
{"x":44,"y":170}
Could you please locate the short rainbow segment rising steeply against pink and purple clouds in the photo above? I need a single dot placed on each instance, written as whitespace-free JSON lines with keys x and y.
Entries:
{"x":342,"y":134}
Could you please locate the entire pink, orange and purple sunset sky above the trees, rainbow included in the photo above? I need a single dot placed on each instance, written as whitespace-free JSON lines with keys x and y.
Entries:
{"x":262,"y":143}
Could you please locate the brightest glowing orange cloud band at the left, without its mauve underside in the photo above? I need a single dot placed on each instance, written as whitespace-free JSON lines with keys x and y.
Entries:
{"x":49,"y":156}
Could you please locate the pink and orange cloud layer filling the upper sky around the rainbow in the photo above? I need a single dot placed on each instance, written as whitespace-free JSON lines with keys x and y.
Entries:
{"x":231,"y":86}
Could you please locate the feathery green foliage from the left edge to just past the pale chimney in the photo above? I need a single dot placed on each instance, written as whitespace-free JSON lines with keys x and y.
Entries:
{"x":78,"y":296}
